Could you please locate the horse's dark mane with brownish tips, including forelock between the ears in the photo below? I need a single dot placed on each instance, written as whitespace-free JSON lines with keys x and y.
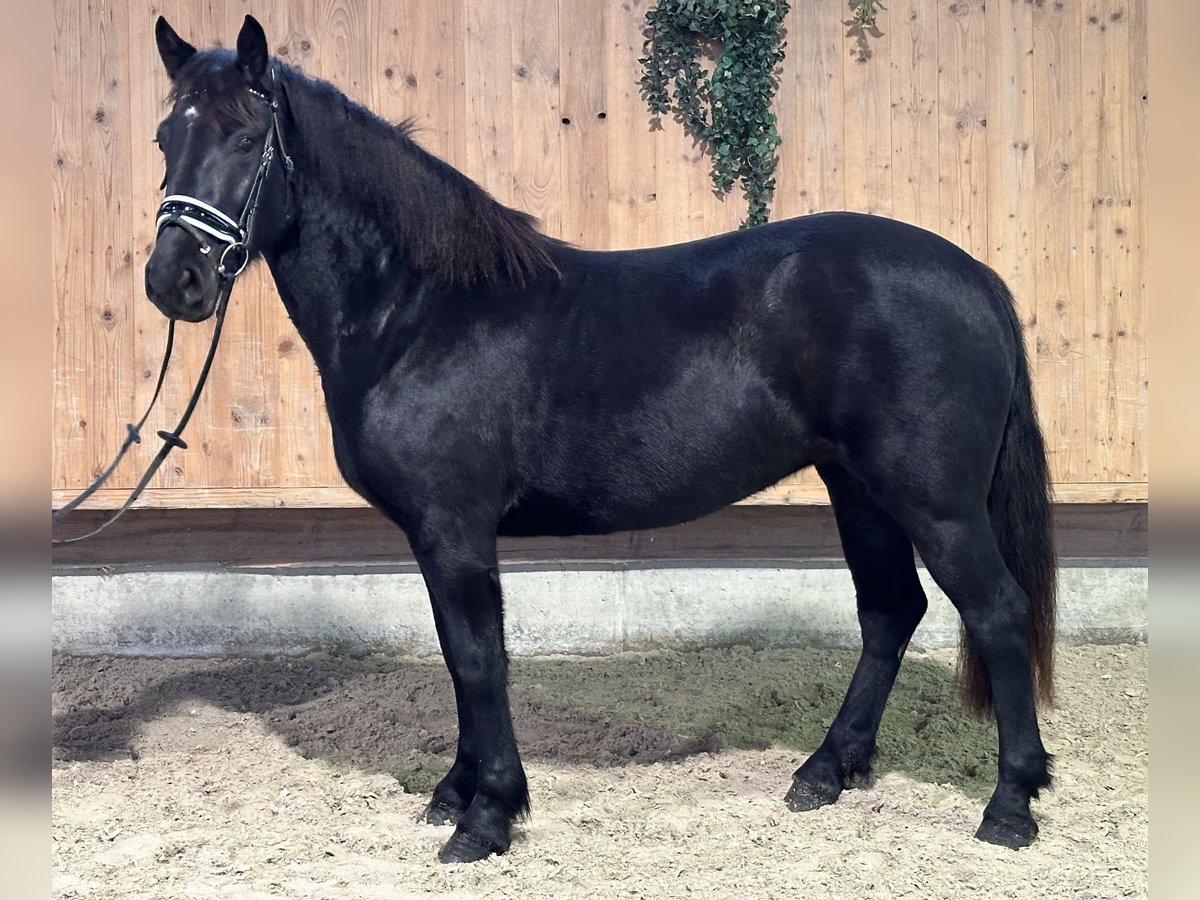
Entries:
{"x":449,"y":226}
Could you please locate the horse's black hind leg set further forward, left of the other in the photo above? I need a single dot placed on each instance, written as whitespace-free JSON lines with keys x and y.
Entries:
{"x":891,"y":604}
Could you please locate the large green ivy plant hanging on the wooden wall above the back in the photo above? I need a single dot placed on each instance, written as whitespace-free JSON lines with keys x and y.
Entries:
{"x":730,"y":107}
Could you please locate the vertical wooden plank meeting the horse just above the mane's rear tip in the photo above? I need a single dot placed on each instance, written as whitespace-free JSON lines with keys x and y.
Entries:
{"x":537,"y":154}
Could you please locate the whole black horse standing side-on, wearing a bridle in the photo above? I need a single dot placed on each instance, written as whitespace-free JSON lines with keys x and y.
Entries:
{"x":485,"y":380}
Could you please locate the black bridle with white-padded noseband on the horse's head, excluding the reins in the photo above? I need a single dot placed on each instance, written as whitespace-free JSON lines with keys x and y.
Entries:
{"x":205,"y":221}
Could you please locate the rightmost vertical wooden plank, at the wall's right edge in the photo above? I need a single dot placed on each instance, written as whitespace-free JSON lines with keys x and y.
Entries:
{"x":1114,"y":275}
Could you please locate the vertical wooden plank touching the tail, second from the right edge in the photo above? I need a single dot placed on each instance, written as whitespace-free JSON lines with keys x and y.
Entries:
{"x":1059,"y":338}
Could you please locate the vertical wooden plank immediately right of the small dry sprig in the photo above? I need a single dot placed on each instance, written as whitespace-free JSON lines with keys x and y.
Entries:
{"x":915,"y":107}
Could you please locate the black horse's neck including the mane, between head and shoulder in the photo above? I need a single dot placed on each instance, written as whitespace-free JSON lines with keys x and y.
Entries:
{"x":358,"y":269}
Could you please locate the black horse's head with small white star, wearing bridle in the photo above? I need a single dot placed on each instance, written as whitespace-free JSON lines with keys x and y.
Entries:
{"x":226,"y":187}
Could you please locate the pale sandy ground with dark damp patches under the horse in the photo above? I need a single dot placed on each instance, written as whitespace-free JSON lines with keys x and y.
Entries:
{"x":652,"y":776}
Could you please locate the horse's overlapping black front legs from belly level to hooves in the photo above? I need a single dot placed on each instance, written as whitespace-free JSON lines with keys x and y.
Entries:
{"x":485,"y":790}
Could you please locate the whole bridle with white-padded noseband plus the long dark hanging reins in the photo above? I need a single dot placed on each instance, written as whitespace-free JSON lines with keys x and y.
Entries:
{"x":202,"y":221}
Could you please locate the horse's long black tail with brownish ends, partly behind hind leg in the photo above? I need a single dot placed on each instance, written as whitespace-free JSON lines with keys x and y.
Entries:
{"x":1019,"y":506}
